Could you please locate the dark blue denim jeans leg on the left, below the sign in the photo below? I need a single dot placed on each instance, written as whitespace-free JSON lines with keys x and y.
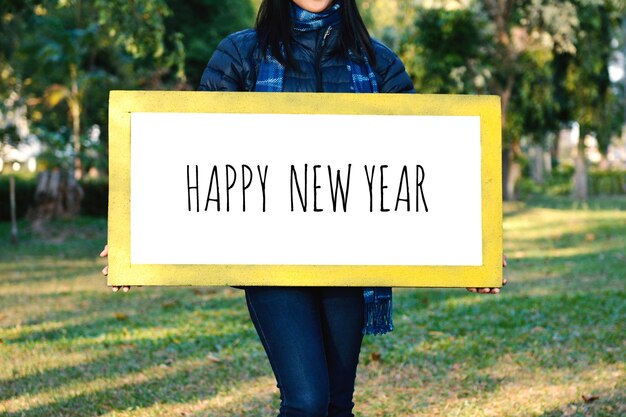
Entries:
{"x":288,"y":322}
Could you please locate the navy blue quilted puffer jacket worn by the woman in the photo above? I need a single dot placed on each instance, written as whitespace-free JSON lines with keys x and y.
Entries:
{"x":235,"y":64}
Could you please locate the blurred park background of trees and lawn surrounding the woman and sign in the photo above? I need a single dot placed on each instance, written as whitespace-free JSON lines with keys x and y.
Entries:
{"x":551,"y":345}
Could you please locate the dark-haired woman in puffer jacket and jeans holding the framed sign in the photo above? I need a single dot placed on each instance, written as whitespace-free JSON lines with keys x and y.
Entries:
{"x":312,"y":336}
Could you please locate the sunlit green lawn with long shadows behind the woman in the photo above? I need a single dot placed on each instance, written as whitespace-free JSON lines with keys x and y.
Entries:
{"x":71,"y":347}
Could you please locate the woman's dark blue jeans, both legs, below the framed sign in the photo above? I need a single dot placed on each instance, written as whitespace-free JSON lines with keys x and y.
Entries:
{"x":312,"y":337}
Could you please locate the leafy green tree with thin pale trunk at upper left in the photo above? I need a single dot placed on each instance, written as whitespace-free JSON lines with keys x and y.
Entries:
{"x":68,"y":52}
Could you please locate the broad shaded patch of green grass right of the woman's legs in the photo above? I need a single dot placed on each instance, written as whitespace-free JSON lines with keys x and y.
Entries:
{"x":551,"y":331}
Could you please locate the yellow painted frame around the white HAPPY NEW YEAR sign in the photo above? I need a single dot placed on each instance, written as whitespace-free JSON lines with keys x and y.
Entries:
{"x":122,"y":272}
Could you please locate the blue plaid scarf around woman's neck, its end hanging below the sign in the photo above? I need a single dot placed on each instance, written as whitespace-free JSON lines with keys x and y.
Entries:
{"x":378,"y":302}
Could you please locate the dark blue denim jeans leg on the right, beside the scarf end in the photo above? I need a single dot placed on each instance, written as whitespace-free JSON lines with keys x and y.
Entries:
{"x":342,"y":323}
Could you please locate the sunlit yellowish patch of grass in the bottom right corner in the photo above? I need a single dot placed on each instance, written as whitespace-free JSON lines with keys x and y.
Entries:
{"x":507,"y":390}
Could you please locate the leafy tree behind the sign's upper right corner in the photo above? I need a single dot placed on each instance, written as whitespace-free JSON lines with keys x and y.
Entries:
{"x":489,"y":47}
